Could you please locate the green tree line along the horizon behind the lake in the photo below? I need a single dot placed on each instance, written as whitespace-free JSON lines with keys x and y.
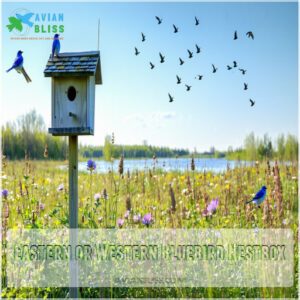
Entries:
{"x":27,"y":136}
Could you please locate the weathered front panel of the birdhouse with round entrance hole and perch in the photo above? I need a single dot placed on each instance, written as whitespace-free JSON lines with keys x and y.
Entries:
{"x":69,"y":103}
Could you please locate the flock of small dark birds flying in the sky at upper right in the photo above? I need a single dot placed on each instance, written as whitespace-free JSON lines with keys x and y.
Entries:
{"x":249,"y":34}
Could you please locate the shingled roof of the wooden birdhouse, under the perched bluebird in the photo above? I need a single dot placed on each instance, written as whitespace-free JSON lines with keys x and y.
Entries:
{"x":75,"y":64}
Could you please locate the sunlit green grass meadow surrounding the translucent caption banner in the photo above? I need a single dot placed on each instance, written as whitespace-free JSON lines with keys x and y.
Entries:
{"x":31,"y":183}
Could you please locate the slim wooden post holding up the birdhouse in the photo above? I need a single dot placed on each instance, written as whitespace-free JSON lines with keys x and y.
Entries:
{"x":73,"y":211}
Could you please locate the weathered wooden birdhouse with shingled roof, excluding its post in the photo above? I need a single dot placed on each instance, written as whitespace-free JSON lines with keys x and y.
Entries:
{"x":74,"y":77}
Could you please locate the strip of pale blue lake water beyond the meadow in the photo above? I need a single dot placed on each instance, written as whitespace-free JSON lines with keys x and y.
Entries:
{"x":167,"y":164}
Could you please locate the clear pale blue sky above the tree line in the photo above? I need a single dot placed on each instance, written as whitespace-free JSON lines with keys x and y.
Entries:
{"x":133,"y":100}
